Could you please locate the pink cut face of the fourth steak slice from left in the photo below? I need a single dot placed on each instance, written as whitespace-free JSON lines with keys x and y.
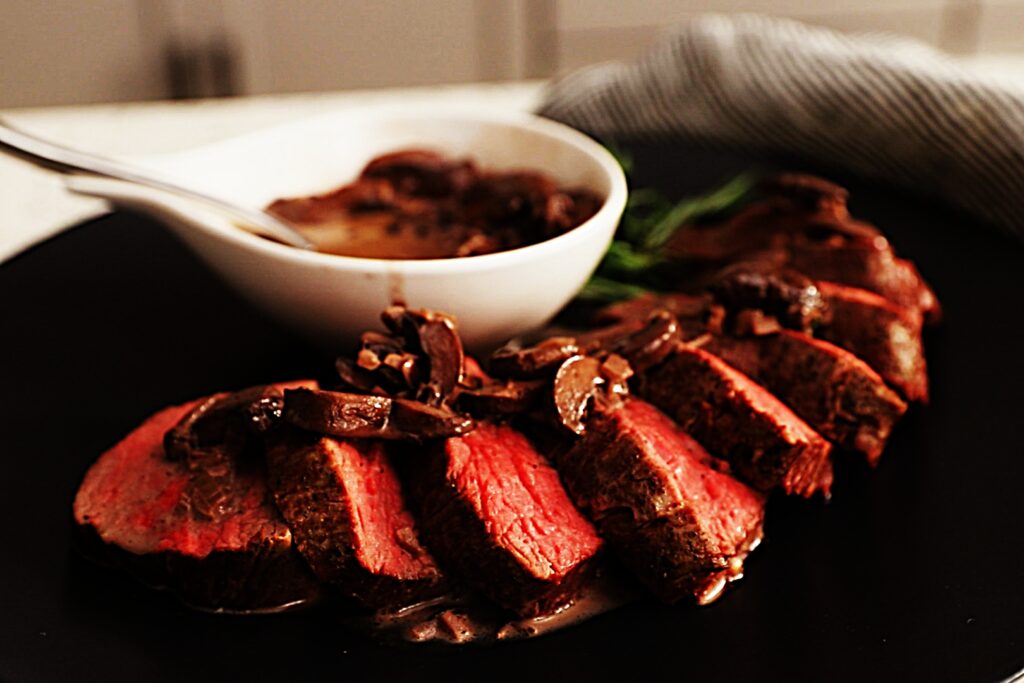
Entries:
{"x":729,"y":510}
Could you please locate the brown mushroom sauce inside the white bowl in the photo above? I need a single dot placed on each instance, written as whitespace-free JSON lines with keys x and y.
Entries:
{"x":416,"y":204}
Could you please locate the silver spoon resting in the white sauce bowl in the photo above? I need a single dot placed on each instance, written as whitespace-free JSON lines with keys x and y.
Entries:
{"x":64,"y":160}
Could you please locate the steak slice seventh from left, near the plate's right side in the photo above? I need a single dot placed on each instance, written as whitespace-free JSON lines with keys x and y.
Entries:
{"x":887,"y":337}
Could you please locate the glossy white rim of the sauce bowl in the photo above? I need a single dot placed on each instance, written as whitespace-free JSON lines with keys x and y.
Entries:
{"x":611,"y":210}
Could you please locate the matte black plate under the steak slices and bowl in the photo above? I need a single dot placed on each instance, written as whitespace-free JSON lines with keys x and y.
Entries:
{"x":914,"y":572}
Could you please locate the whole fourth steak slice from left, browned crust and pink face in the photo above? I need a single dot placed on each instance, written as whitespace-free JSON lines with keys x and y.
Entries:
{"x":659,"y":499}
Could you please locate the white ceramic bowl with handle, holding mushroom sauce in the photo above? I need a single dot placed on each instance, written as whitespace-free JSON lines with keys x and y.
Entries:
{"x":334,"y":298}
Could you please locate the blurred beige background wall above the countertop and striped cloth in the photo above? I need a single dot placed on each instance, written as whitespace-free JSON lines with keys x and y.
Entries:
{"x":83,"y":52}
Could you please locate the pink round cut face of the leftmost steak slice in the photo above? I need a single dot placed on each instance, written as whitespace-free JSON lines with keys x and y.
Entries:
{"x":133,"y":496}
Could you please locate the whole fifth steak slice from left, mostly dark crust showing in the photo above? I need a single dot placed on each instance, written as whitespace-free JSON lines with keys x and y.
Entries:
{"x":737,"y":419}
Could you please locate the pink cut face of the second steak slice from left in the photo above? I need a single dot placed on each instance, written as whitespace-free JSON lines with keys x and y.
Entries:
{"x":383,"y":528}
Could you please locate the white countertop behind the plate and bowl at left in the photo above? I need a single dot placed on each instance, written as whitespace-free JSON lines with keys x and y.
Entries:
{"x":35,"y":206}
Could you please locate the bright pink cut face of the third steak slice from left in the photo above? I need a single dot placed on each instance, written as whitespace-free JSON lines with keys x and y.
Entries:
{"x":521,"y":500}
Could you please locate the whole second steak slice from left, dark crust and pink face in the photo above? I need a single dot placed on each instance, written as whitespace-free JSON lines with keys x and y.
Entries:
{"x":345,"y":504}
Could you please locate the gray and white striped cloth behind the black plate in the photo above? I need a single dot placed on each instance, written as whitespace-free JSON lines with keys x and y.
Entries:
{"x":879,"y":106}
